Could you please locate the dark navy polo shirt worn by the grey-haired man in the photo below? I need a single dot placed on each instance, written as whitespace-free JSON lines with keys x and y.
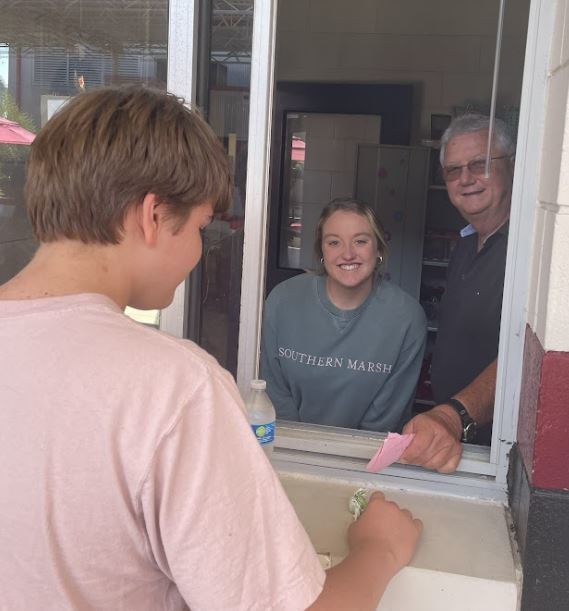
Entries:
{"x":469,"y":314}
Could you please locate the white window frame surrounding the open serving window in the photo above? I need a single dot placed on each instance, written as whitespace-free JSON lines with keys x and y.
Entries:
{"x":307,"y":448}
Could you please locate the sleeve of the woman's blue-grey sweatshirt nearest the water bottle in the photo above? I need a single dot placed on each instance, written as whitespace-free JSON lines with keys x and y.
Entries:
{"x":277,"y":385}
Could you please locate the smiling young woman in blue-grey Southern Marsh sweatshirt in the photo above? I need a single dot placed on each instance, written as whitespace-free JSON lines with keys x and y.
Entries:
{"x":343,"y":347}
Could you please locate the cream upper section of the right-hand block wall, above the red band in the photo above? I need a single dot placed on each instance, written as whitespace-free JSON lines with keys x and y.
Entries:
{"x":548,"y":312}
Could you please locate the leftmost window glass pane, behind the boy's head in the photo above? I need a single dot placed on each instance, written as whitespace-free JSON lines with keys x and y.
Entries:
{"x":49,"y":52}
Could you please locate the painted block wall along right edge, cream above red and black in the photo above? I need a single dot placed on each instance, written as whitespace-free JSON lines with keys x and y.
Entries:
{"x":539,"y":482}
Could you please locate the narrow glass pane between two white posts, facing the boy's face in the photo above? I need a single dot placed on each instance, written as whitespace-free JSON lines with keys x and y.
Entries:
{"x":228,"y":113}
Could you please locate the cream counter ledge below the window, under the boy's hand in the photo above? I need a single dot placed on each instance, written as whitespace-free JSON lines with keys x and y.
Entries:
{"x":465,"y":559}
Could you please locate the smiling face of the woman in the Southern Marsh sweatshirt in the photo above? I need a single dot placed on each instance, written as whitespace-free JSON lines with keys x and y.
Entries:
{"x":349,"y":250}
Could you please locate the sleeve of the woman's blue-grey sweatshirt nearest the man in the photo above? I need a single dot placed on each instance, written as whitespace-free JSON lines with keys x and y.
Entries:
{"x":397,"y":394}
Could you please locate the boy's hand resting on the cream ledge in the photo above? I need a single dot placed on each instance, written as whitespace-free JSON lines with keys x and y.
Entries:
{"x":384,"y":527}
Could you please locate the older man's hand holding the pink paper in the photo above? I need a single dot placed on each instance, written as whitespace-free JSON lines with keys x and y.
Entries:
{"x":437,"y":440}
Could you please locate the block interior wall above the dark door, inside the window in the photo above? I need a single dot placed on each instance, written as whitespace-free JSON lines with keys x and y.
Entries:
{"x":444,"y":47}
